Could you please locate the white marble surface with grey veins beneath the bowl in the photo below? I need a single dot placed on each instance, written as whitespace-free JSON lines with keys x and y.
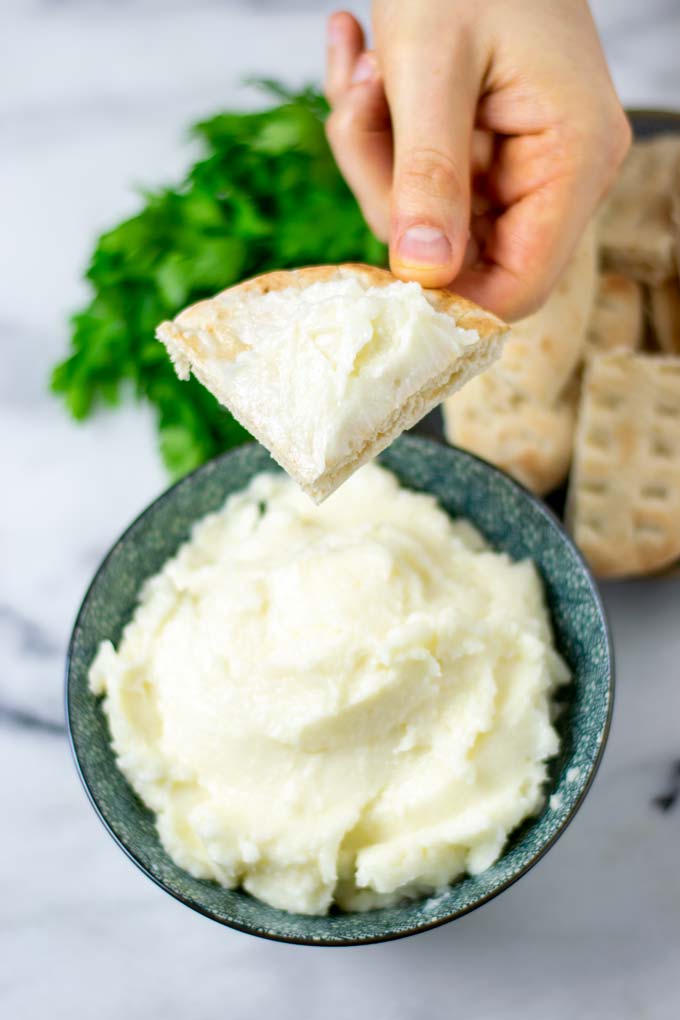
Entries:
{"x":94,"y":100}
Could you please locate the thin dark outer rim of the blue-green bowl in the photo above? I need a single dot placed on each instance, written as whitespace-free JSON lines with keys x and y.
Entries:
{"x":551,"y":519}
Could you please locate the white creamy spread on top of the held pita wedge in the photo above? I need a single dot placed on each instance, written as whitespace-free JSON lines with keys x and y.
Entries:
{"x":360,"y":352}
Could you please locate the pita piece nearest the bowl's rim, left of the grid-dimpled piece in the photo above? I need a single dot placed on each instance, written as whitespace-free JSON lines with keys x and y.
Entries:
{"x":531,"y":441}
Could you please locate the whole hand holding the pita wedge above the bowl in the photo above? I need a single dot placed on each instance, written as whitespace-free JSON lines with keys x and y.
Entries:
{"x":479,"y":138}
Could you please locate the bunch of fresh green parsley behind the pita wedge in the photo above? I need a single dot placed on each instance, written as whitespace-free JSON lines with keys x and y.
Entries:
{"x":267,"y":195}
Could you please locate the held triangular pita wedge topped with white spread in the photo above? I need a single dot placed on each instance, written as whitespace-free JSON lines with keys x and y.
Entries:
{"x":327,"y":366}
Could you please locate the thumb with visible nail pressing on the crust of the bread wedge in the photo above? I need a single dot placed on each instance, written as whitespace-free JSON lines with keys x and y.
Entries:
{"x":432,"y":83}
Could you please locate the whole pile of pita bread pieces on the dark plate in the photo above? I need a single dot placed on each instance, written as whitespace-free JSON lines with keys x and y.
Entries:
{"x":593,"y":380}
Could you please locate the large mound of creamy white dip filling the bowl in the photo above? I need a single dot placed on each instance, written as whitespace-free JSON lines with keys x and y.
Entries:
{"x":347,"y":703}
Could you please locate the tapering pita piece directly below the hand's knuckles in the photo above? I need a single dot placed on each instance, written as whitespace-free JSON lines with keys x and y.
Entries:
{"x":544,"y":349}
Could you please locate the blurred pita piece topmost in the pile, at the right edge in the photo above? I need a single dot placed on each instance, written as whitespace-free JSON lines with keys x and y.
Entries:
{"x":636,"y":226}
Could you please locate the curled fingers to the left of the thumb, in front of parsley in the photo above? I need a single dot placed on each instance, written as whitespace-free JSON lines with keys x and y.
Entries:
{"x":359,"y":128}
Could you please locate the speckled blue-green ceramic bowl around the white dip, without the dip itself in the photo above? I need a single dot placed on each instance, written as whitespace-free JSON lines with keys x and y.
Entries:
{"x":512,"y":521}
